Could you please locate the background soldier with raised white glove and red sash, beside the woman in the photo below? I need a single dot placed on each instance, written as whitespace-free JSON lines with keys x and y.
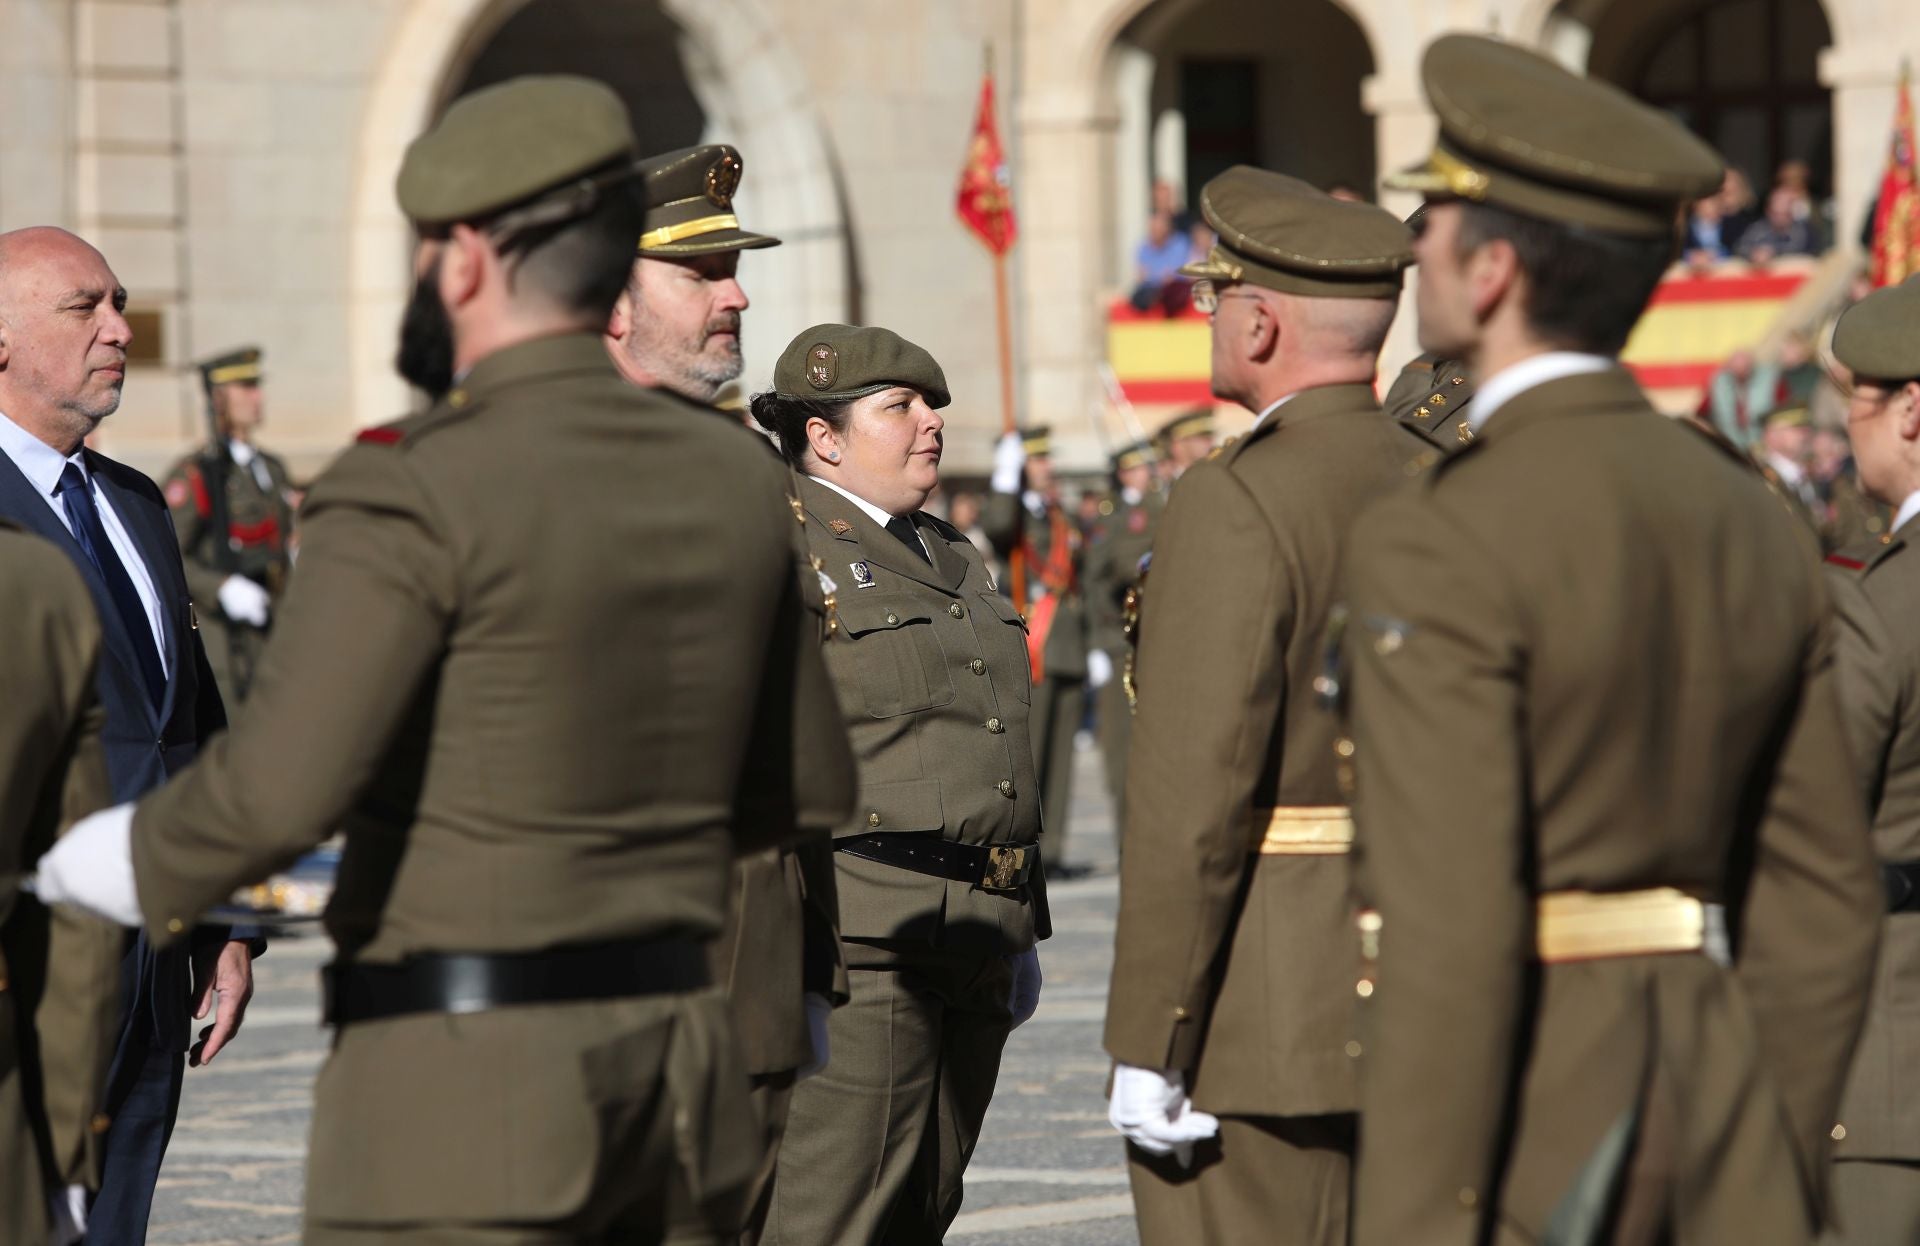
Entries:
{"x":1034,"y":533}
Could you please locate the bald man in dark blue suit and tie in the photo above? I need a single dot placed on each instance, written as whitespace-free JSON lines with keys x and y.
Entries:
{"x":62,"y":366}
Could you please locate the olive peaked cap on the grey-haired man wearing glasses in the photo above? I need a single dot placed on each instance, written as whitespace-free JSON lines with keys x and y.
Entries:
{"x":1285,"y":235}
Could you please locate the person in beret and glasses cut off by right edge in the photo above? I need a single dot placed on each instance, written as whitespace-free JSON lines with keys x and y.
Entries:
{"x":1877,"y":594}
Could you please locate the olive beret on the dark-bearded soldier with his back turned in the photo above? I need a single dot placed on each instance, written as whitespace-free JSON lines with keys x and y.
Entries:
{"x":512,"y":145}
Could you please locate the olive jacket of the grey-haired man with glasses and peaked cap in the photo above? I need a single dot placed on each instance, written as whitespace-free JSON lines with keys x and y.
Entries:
{"x":1232,"y":967}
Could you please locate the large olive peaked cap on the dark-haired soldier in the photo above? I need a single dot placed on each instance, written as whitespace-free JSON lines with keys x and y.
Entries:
{"x":1524,"y":133}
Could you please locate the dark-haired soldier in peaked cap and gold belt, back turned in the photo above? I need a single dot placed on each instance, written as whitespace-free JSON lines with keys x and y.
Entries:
{"x":1625,"y":921}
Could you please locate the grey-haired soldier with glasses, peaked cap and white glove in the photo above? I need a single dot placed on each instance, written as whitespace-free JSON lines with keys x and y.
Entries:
{"x":1236,"y":961}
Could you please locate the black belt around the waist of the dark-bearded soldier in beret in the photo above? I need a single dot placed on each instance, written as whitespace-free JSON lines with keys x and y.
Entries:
{"x":475,"y":982}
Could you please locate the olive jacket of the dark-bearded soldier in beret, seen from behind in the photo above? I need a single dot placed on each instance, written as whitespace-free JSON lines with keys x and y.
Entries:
{"x":548,"y":665}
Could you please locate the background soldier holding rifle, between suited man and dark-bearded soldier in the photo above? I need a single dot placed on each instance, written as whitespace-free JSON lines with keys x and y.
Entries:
{"x":233,"y":514}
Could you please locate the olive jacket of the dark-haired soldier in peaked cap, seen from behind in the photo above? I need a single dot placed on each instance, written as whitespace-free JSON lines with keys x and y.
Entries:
{"x":1627,"y":648}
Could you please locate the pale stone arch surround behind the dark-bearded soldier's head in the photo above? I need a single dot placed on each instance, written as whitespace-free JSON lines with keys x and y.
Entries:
{"x":752,"y":95}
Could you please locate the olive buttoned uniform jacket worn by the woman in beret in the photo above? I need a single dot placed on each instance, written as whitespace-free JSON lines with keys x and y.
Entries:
{"x":930,"y":663}
